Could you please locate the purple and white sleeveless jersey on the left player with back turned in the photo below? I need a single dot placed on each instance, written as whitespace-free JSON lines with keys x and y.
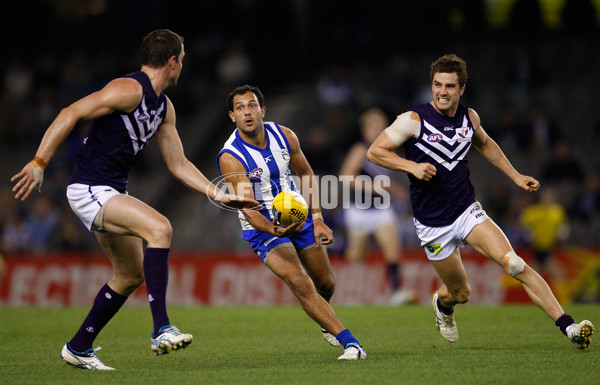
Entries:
{"x":113,"y":141}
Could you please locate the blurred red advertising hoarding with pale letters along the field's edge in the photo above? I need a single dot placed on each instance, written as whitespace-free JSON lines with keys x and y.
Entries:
{"x":226,"y":279}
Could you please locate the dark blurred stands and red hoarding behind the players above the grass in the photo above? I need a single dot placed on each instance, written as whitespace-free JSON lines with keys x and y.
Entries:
{"x":532,"y":78}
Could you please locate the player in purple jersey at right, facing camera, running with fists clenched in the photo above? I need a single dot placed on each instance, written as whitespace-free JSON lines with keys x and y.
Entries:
{"x":437,"y":136}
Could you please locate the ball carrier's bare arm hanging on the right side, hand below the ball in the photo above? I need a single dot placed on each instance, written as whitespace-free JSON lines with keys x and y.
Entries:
{"x":302,"y":168}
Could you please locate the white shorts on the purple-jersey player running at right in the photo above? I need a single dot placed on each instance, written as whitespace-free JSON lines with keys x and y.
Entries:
{"x":440,"y":242}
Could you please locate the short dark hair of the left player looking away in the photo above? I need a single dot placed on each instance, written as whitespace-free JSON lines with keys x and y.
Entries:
{"x":158,"y":46}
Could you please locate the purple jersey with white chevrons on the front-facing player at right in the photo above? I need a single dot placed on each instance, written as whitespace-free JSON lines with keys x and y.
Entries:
{"x":444,"y":142}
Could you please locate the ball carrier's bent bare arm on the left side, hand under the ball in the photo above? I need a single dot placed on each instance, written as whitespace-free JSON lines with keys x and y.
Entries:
{"x":236,"y":176}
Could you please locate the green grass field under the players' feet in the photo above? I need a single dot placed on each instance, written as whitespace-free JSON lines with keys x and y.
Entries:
{"x":281,"y":345}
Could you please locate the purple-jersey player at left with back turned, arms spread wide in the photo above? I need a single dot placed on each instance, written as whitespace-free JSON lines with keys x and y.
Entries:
{"x":125,"y":115}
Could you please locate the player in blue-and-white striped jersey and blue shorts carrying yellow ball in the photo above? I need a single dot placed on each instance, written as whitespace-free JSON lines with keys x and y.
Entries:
{"x":256,"y":161}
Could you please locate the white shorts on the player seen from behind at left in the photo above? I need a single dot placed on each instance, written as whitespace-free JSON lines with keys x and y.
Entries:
{"x":86,"y":201}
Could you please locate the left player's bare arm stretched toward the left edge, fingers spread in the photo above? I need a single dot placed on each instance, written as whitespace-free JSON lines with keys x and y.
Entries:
{"x":118,"y":95}
